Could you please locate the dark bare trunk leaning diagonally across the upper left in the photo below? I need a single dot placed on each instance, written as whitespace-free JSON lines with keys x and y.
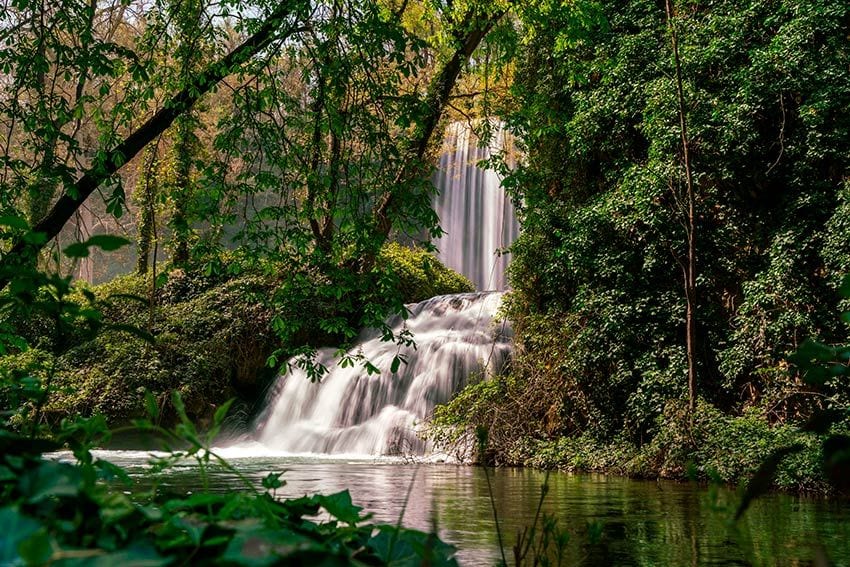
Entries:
{"x":75,"y":195}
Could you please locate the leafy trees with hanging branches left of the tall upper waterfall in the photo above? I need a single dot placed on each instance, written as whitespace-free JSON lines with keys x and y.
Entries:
{"x":312,"y":157}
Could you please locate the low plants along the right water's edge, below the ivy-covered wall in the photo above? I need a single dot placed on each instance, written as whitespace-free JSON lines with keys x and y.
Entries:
{"x":722,"y":449}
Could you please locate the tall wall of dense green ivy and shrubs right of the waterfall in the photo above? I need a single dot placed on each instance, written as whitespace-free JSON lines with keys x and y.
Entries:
{"x":600,"y":269}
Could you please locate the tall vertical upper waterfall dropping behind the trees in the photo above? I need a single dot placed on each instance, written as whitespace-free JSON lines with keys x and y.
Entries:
{"x":475,"y":213}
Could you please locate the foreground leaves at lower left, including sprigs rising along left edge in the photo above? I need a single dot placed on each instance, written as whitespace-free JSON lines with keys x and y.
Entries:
{"x":79,"y":512}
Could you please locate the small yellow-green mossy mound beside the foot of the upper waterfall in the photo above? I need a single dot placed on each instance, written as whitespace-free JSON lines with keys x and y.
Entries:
{"x":420,"y":275}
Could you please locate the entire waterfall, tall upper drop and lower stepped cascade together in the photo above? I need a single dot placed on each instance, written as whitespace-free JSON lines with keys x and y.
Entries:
{"x":352,"y":412}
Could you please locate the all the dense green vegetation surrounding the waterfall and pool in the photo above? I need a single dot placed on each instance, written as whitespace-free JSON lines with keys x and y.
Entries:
{"x":684,"y":200}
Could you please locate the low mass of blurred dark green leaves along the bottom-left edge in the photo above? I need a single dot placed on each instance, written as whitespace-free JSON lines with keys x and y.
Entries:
{"x":71,"y":512}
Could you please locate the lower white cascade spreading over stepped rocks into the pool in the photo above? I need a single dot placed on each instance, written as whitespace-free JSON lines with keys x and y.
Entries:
{"x":353,"y":412}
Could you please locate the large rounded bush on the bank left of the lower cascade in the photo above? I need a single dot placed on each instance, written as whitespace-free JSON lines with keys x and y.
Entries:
{"x":211,"y":342}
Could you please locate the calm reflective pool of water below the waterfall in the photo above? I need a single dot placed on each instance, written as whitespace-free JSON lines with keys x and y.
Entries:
{"x":641,"y":523}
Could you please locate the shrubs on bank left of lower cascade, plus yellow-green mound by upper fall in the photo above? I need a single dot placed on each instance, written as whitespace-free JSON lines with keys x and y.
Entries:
{"x":213,"y":334}
